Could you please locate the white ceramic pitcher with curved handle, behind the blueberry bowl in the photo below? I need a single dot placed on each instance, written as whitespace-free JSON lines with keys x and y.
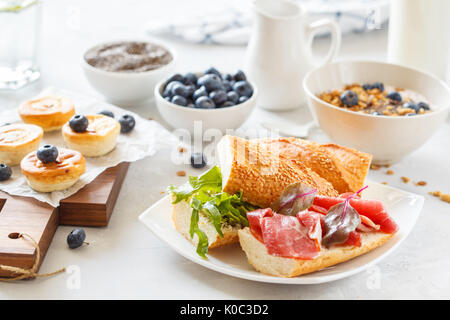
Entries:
{"x":279,"y":53}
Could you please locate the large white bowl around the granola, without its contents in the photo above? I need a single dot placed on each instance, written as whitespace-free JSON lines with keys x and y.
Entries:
{"x":387,"y":138}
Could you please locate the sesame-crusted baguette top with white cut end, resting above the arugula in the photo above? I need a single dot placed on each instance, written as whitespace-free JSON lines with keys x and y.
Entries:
{"x":260,"y":174}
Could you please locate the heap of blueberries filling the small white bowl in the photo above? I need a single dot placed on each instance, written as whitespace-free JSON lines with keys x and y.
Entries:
{"x":210,"y":90}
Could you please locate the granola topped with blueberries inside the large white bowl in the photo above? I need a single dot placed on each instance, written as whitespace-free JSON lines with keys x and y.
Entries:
{"x":375,"y":100}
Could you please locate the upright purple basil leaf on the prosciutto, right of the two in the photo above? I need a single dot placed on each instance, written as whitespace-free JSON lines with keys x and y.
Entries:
{"x":340,"y":220}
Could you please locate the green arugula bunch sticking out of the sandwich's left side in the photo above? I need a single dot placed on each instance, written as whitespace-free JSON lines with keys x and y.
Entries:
{"x":205,"y":196}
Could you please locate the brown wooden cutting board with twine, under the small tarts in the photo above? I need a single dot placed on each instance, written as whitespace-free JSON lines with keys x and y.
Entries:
{"x":91,"y":206}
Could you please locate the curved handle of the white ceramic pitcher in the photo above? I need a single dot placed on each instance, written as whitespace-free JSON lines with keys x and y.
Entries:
{"x":325,"y":24}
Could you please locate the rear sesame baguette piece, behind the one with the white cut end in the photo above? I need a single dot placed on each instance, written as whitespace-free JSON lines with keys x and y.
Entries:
{"x":344,"y":168}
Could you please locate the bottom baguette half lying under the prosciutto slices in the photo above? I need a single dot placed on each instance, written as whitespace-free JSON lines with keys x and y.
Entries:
{"x":263,"y":262}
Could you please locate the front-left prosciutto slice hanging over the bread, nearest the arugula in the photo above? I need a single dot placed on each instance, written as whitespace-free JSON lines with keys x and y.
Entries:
{"x":287,"y":236}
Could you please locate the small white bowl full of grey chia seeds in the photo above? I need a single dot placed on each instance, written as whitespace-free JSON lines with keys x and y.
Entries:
{"x":126,"y":72}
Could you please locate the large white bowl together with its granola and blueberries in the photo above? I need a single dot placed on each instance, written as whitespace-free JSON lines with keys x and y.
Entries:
{"x":384,"y":109}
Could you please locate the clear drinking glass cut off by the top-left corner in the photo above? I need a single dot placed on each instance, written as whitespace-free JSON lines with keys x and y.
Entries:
{"x":19,"y":32}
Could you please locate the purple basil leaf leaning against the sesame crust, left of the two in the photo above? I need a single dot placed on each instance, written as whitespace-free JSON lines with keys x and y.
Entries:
{"x":295,"y":198}
